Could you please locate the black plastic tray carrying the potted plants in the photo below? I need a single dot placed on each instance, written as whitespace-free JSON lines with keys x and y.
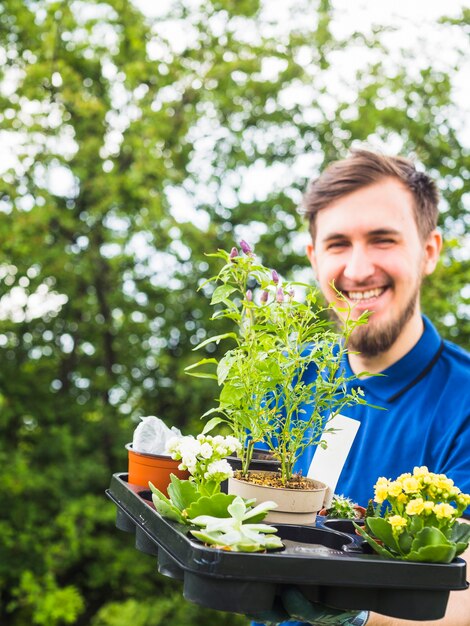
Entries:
{"x":329,"y":566}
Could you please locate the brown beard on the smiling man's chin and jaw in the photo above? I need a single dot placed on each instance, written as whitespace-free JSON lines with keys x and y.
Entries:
{"x":371,"y":340}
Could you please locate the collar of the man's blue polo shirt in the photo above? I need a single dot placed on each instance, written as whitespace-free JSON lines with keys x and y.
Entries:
{"x":406,"y":372}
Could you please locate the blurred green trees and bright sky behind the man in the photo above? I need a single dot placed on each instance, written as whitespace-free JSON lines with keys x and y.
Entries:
{"x":134,"y":138}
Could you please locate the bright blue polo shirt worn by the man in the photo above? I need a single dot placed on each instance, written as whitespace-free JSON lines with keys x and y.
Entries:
{"x":426,"y":421}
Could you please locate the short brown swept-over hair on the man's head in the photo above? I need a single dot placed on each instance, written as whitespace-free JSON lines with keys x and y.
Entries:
{"x":363,"y":168}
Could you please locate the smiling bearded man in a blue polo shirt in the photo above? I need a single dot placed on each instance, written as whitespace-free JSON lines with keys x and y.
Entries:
{"x":373,"y":221}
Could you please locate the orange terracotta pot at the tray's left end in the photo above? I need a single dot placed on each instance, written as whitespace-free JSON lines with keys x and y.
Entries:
{"x":154,"y":468}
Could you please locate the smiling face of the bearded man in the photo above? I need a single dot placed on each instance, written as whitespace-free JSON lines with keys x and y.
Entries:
{"x":368,"y":243}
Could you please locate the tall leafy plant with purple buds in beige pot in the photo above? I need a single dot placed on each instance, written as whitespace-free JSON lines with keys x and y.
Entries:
{"x":266,"y":397}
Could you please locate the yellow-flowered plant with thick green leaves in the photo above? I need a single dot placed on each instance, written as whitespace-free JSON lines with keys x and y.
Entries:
{"x":419,"y":523}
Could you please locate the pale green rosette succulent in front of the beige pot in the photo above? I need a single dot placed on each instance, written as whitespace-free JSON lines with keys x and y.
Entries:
{"x":238,"y":532}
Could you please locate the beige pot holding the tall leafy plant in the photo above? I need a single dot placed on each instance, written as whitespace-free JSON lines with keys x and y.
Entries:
{"x":295,"y":506}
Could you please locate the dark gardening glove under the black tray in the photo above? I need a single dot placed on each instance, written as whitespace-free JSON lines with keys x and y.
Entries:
{"x":294,"y":608}
